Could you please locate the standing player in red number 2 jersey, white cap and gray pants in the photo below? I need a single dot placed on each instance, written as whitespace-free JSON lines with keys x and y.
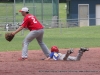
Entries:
{"x":36,"y":31}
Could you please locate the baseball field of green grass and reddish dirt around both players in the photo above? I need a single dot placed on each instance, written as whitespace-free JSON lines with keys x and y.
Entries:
{"x":64,"y":38}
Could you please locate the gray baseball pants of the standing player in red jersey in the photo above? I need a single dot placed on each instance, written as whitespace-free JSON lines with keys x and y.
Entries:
{"x":38,"y":34}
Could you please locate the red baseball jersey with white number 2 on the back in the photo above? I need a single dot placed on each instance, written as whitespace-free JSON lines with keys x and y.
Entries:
{"x":31,"y":23}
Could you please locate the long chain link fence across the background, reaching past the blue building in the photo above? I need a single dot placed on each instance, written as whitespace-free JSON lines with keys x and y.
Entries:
{"x":42,"y":9}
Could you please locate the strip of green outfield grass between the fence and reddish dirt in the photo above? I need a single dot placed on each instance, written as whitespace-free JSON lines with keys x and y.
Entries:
{"x":63,"y":38}
